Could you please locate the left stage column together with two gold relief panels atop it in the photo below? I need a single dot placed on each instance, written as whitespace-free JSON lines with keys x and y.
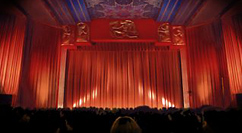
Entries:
{"x":72,"y":36}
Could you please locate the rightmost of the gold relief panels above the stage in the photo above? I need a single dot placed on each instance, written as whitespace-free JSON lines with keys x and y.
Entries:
{"x":178,"y":35}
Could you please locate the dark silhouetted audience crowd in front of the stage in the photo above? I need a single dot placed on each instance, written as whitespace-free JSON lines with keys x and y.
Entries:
{"x":119,"y":120}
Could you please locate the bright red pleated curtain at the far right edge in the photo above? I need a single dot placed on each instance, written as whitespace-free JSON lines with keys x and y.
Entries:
{"x":232,"y":29}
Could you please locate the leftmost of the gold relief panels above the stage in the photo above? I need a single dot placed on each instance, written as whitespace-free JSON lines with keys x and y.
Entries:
{"x":68,"y":35}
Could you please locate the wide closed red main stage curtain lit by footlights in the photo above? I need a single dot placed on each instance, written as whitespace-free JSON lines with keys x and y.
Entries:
{"x":123,"y":75}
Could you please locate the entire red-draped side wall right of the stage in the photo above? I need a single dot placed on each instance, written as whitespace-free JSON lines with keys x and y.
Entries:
{"x":215,"y":62}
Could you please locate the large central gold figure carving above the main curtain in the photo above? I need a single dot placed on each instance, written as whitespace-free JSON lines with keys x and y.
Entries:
{"x":123,"y":29}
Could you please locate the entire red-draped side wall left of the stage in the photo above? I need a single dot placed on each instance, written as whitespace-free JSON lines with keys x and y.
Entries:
{"x":29,"y":60}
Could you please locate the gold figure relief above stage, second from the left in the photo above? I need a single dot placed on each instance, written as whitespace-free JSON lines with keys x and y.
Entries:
{"x":82,"y":32}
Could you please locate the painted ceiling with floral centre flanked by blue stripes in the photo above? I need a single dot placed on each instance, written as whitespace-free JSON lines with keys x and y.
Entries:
{"x":176,"y":12}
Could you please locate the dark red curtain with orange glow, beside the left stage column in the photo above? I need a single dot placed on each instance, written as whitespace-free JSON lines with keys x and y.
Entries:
{"x":40,"y":71}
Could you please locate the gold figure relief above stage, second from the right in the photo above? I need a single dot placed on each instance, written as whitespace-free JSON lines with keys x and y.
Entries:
{"x":164,"y":32}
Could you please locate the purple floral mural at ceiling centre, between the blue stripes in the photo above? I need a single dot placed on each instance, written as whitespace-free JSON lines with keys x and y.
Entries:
{"x":123,"y":9}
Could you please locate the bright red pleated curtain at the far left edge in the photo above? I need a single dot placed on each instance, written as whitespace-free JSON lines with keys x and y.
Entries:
{"x":12,"y":31}
